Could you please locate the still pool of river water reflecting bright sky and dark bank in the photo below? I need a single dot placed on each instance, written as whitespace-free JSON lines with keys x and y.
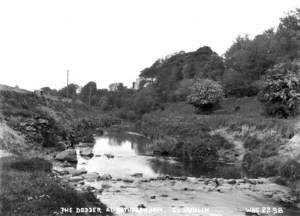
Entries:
{"x":130,"y":156}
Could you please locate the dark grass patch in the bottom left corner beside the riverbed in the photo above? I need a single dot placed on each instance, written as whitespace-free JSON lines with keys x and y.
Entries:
{"x":29,"y":189}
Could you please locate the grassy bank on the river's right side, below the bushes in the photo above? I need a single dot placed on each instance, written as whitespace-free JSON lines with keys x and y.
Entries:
{"x":178,"y":131}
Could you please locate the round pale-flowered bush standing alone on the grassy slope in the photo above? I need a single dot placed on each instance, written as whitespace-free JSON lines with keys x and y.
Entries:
{"x":205,"y":94}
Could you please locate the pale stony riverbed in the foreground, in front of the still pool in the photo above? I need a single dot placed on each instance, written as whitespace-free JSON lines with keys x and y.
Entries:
{"x":169,"y":195}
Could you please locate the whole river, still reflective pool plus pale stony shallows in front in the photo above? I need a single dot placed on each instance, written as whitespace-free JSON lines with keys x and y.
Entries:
{"x":124,"y":154}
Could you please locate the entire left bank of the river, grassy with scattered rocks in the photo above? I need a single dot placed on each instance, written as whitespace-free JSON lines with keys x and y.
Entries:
{"x":33,"y":126}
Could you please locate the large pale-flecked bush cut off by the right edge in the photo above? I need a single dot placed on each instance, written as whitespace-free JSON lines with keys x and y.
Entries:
{"x":281,"y":91}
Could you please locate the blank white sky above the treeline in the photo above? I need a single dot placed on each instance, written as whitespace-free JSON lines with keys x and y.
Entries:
{"x":110,"y":41}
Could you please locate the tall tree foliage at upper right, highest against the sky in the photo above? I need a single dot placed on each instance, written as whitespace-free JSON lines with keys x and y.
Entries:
{"x":253,"y":57}
